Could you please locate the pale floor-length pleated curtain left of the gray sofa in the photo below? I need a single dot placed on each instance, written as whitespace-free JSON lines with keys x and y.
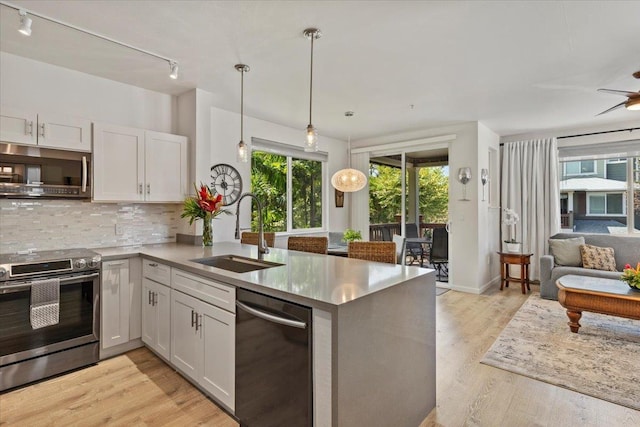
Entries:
{"x":530,"y":187}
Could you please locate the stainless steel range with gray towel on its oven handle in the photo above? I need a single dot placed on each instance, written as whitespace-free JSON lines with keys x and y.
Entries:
{"x":49,"y":314}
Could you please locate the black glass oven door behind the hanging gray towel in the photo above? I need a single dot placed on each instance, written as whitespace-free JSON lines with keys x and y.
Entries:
{"x":78,"y":324}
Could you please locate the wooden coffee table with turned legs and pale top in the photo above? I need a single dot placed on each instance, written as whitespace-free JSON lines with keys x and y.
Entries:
{"x":596,"y":295}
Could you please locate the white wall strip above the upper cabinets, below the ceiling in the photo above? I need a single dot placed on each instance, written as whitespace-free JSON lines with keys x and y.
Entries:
{"x":39,"y":87}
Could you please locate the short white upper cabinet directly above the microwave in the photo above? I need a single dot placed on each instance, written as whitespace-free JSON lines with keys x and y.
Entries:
{"x":45,"y":129}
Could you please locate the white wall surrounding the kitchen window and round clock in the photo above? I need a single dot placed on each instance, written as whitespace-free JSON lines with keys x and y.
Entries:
{"x":217,"y":132}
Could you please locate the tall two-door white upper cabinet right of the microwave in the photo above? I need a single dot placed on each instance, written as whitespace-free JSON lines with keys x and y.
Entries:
{"x":136,"y":165}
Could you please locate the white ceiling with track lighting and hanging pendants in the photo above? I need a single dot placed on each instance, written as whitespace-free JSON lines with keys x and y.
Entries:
{"x":518,"y":66}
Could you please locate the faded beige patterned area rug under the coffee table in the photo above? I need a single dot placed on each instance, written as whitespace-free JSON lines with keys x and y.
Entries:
{"x":602,"y":360}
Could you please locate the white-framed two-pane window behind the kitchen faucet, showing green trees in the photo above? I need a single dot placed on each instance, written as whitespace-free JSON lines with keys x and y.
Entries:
{"x":290,"y":184}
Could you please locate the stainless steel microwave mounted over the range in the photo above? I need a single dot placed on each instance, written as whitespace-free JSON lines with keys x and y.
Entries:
{"x":34,"y":172}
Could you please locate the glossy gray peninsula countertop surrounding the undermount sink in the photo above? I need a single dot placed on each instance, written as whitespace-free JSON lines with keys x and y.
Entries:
{"x":323,"y":281}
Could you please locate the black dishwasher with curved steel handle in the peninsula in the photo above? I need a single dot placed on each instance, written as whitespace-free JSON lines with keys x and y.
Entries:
{"x":273,"y":362}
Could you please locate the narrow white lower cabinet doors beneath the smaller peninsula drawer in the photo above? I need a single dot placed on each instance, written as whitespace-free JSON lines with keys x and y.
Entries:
{"x":156,"y":317}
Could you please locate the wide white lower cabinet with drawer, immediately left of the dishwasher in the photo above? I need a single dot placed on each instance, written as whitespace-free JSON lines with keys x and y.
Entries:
{"x":203,"y":337}
